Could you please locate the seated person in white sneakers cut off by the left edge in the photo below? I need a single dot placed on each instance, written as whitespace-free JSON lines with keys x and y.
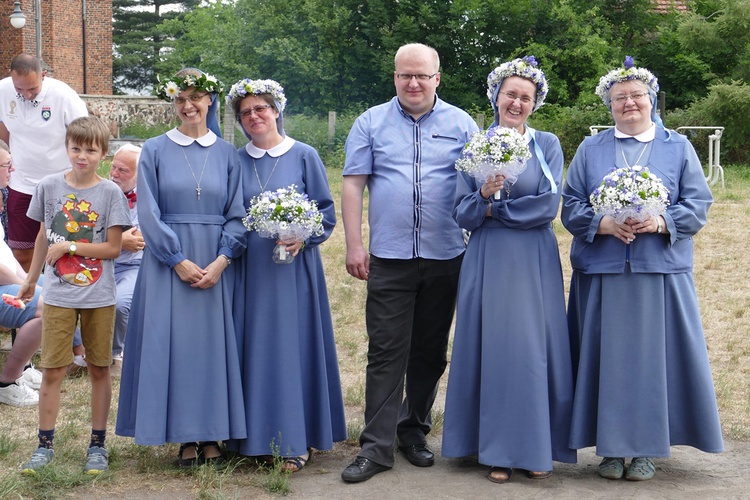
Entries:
{"x":18,"y":378}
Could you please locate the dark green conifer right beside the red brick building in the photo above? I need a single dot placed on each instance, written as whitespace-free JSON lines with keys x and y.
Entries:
{"x":138,"y":40}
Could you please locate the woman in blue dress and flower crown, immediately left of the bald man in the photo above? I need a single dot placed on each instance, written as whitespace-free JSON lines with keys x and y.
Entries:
{"x":290,"y":371}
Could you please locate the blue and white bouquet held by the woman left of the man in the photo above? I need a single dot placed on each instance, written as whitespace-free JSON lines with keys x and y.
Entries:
{"x":284,"y":214}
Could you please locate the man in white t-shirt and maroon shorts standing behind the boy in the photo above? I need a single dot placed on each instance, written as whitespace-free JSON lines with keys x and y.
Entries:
{"x":35,"y":111}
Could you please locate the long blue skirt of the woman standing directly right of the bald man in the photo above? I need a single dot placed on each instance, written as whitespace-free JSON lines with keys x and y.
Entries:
{"x":510,"y":388}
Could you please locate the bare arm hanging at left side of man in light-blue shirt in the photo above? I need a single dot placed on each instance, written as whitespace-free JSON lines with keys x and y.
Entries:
{"x":357,"y":258}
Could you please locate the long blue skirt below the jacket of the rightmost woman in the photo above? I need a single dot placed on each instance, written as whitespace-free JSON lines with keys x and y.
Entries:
{"x":643,"y":382}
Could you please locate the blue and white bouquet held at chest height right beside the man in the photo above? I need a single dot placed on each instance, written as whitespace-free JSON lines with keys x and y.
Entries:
{"x":497,"y":151}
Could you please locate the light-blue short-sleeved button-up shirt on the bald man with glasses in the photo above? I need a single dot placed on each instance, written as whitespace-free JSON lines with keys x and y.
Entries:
{"x":412,"y":178}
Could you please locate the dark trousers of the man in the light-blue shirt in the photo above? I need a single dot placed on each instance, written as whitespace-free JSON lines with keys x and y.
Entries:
{"x":410,"y":306}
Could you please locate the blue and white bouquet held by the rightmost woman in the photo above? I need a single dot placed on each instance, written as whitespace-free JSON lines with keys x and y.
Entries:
{"x":630,"y":193}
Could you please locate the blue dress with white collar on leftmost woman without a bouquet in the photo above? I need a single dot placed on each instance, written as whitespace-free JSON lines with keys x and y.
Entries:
{"x":181,"y":373}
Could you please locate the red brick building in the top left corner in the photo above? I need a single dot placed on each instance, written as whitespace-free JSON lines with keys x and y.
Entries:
{"x":76,"y":40}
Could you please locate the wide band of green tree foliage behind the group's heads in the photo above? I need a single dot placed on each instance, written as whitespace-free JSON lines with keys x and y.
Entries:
{"x":338,"y":55}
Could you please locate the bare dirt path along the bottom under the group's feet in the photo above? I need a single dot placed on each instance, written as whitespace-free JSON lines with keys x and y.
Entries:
{"x":689,"y":474}
